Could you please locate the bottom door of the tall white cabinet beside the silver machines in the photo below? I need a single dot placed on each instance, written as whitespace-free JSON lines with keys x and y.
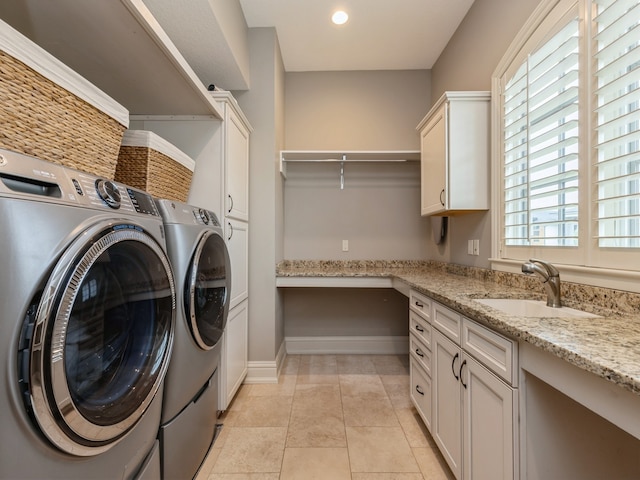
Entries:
{"x":234,"y":357}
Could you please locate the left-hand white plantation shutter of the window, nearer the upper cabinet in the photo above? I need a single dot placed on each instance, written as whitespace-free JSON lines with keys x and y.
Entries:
{"x":541,"y":145}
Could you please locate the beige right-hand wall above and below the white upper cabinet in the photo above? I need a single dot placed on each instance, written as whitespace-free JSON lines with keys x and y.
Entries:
{"x":467,"y":63}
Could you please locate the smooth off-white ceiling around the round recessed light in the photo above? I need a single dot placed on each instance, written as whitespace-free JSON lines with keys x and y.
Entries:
{"x":380,"y":34}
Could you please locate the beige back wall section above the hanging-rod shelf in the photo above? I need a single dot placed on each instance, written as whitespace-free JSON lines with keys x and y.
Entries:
{"x":373,"y":110}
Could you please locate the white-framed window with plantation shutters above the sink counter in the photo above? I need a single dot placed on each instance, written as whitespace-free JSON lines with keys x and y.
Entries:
{"x":567,"y":151}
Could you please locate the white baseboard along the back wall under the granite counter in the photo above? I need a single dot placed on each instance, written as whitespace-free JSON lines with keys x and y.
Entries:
{"x":347,"y":345}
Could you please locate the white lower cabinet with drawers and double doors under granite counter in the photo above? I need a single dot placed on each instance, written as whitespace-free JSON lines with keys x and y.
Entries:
{"x":473,"y":407}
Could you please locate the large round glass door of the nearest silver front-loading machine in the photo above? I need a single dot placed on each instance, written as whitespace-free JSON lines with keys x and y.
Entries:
{"x":98,"y":340}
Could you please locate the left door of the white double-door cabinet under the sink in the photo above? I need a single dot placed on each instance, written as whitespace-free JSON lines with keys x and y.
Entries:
{"x":447,"y":397}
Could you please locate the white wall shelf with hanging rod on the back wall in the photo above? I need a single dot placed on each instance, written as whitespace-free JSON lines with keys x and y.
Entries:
{"x":343,"y":157}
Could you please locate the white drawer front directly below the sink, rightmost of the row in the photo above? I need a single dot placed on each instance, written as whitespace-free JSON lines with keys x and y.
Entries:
{"x":497,"y":353}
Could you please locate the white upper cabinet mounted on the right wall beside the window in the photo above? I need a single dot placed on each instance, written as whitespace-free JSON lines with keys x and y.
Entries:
{"x":454,"y":143}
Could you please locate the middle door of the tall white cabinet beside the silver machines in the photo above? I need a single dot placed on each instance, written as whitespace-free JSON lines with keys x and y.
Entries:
{"x":238,"y":244}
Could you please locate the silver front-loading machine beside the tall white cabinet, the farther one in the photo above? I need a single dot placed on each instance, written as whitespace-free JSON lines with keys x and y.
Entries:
{"x":200,"y":260}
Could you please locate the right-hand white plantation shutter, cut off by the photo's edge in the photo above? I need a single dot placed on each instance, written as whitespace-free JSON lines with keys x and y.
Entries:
{"x":617,"y":60}
